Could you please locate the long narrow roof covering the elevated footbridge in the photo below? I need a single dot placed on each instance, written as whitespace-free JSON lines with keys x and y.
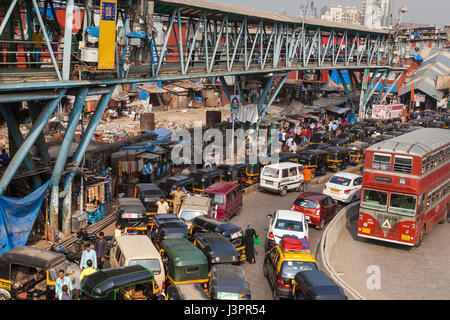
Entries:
{"x":255,"y":14}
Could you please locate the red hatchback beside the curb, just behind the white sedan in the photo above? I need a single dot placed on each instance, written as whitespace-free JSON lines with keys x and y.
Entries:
{"x":317,"y":208}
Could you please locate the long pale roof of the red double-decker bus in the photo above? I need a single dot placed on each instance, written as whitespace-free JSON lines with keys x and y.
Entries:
{"x":417,"y":143}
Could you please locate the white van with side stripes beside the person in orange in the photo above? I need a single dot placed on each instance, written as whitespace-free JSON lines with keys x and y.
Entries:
{"x":281,"y":177}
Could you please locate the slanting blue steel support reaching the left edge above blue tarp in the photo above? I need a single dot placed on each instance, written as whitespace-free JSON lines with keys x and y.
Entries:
{"x":24,"y":149}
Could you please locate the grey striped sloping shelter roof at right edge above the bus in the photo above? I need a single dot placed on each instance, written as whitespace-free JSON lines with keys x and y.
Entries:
{"x":437,"y":64}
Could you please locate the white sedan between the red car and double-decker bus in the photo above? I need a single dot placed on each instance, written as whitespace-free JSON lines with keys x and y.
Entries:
{"x":344,"y":187}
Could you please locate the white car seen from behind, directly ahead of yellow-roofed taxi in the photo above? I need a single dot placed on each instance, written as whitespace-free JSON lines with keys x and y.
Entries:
{"x":283,"y":223}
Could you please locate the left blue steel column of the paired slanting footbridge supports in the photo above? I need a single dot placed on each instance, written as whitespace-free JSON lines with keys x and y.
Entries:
{"x":61,"y":160}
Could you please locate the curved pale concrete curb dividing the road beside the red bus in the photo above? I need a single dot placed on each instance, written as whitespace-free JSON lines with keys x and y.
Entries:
{"x":328,"y":239}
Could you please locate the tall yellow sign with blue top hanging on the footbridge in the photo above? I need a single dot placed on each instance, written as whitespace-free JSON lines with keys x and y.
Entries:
{"x":107,"y":36}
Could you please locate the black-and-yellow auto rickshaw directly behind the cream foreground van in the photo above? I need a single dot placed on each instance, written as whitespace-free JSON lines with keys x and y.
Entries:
{"x":131,"y":215}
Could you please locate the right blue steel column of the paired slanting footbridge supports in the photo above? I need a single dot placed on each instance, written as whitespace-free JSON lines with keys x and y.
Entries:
{"x":79,"y":154}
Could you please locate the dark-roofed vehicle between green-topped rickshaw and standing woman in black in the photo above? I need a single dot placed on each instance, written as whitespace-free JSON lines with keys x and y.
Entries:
{"x":216,"y":248}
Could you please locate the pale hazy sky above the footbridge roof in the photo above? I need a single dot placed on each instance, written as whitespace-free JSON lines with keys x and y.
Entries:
{"x":419,"y":11}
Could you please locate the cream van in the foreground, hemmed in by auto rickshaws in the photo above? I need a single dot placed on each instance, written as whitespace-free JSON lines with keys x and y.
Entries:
{"x":138,"y":249}
